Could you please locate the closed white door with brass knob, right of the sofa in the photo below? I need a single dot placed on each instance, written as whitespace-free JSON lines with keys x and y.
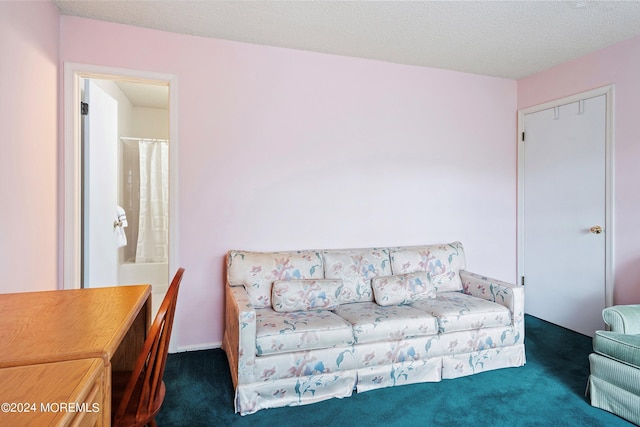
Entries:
{"x":564,"y":210}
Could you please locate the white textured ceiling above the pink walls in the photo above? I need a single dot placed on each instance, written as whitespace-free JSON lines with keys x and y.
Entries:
{"x":511,"y":39}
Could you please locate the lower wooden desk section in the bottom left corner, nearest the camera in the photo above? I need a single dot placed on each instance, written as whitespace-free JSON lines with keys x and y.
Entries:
{"x":52,"y":394}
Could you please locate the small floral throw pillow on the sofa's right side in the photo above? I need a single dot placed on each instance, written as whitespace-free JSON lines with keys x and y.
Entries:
{"x":403,"y":288}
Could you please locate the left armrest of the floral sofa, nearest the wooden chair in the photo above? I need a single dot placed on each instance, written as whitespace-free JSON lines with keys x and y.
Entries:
{"x":240,"y":334}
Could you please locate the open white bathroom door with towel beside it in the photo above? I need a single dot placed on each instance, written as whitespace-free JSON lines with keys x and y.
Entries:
{"x":100,"y":165}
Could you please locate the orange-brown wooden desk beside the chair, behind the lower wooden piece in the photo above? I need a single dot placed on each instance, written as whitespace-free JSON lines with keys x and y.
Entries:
{"x":53,"y":326}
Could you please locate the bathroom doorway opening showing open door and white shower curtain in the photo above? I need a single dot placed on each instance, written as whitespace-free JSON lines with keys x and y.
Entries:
{"x":125,"y":141}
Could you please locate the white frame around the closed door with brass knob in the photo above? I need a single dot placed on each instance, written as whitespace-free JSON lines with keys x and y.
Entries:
{"x":608,"y":91}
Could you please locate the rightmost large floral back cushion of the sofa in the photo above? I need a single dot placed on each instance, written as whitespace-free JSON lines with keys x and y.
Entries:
{"x":441,"y":262}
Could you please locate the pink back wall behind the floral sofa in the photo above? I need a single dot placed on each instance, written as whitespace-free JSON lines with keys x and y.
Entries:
{"x":283,"y":149}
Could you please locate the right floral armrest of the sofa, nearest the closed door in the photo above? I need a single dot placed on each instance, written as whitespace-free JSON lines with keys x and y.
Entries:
{"x":503,"y":293}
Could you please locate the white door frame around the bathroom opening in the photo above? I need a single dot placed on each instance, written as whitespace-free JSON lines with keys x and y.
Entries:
{"x":72,"y":223}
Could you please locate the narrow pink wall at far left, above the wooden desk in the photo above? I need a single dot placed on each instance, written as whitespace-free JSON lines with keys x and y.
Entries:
{"x":29,"y":152}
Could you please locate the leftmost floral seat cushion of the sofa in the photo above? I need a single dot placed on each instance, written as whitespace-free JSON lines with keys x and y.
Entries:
{"x":299,"y":330}
